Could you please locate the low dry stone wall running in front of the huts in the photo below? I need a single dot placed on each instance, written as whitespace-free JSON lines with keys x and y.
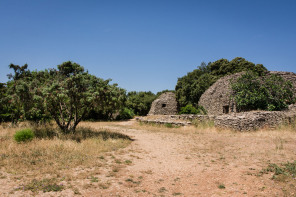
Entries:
{"x":244,"y":121}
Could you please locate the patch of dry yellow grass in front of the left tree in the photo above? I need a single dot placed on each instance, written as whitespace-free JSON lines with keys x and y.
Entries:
{"x":50,"y":156}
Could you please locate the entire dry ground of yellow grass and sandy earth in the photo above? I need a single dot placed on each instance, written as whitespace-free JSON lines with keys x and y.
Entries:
{"x":161,"y":161}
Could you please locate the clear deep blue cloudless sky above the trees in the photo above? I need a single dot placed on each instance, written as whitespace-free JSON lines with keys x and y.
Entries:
{"x":146,"y":44}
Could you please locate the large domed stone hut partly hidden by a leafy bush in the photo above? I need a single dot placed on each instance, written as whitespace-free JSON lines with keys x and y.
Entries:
{"x":216,"y":100}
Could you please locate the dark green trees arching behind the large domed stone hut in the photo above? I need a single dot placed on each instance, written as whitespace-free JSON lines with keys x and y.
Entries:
{"x":190,"y":87}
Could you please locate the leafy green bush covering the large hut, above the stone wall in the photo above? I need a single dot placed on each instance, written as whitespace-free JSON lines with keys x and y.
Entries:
{"x":268,"y":92}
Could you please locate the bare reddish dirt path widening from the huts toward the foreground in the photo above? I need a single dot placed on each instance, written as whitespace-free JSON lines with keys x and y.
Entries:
{"x":205,"y":164}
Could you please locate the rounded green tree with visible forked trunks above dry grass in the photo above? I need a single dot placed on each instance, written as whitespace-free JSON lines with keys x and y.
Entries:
{"x":69,"y":94}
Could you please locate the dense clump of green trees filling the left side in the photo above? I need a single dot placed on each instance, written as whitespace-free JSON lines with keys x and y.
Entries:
{"x":66,"y":94}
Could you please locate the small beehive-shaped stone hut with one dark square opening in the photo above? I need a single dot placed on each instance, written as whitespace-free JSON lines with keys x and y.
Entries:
{"x":165,"y":104}
